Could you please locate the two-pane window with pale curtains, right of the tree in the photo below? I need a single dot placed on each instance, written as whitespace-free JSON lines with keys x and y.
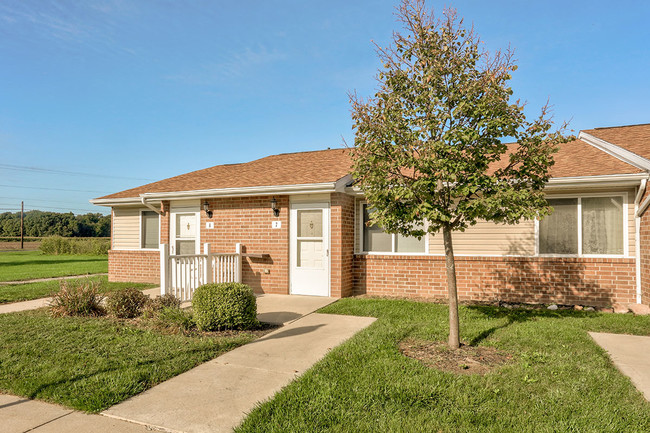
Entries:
{"x":583,"y":225}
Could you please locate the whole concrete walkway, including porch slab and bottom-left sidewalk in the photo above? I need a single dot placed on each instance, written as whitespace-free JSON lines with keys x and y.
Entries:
{"x":217,"y":395}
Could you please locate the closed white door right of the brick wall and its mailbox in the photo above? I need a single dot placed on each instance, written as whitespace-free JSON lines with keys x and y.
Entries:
{"x":309,"y":250}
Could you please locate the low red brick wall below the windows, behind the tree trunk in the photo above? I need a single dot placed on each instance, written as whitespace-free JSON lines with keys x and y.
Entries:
{"x":586,"y":281}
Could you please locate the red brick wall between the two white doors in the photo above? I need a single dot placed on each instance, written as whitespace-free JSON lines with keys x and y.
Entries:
{"x":247,"y":220}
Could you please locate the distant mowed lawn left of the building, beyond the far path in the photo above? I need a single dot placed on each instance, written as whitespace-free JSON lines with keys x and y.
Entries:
{"x":28,"y":265}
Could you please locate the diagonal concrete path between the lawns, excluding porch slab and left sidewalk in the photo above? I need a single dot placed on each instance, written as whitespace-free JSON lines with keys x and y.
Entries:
{"x":217,"y":395}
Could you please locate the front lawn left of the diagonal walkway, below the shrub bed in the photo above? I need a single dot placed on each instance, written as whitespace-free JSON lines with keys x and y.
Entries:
{"x":91,"y":364}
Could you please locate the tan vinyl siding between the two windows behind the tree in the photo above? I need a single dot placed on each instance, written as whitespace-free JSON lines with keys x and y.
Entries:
{"x":486,"y":238}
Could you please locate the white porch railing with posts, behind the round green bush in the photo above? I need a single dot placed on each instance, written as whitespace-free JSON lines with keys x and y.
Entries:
{"x":180,"y":275}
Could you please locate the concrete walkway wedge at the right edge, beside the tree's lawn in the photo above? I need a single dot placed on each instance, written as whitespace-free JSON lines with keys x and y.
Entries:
{"x":631,"y":355}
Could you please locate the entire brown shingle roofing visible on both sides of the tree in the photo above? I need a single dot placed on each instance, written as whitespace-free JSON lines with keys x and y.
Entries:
{"x":575,"y":158}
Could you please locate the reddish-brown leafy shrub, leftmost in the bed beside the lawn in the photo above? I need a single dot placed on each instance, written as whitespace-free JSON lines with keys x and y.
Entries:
{"x":77,"y":298}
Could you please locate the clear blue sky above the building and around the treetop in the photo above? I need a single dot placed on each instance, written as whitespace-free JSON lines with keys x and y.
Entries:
{"x":124,"y":92}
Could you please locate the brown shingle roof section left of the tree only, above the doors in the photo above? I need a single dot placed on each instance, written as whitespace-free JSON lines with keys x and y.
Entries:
{"x":284,"y":169}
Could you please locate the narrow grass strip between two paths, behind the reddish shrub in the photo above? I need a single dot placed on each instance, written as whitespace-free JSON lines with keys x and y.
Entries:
{"x":41,"y":289}
